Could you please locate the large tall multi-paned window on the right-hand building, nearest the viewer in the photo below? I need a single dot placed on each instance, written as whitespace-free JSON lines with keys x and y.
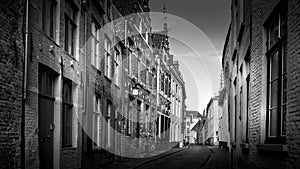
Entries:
{"x":277,"y":81}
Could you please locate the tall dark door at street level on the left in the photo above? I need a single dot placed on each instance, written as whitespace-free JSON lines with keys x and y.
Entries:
{"x":46,"y":127}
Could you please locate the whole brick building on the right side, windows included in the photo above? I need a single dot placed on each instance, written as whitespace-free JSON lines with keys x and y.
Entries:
{"x":260,"y":64}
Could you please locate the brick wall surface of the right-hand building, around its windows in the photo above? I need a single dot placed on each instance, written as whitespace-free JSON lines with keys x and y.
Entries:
{"x":254,"y":156}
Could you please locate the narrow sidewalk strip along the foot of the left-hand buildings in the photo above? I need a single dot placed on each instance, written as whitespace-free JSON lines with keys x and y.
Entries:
{"x":132,"y":163}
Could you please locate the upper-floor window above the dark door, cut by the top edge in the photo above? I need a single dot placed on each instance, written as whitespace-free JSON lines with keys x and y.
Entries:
{"x":49,"y":17}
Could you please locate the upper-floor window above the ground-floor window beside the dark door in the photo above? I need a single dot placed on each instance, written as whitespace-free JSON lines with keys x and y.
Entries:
{"x":70,"y":28}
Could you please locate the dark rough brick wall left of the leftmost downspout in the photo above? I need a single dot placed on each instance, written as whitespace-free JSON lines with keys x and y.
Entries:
{"x":11,"y":75}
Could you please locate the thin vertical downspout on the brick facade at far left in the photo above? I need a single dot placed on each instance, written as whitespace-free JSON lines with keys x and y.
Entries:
{"x":24,"y":86}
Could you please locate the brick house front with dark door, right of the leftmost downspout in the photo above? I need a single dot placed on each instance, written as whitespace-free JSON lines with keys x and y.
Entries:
{"x":54,"y":87}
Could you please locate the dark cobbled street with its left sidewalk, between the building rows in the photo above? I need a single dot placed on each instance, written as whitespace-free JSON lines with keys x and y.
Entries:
{"x":195,"y":157}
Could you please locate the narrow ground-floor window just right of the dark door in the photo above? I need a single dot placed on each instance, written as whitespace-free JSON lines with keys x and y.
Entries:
{"x":67,"y":113}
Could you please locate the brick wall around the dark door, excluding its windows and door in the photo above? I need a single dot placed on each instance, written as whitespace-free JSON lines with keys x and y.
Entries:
{"x":40,"y":54}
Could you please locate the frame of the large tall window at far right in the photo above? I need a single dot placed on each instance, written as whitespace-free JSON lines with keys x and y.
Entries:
{"x":278,"y":47}
